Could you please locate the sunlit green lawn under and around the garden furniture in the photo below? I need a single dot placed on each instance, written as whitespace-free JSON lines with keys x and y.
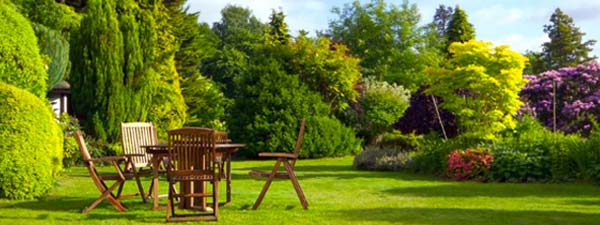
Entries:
{"x":337,"y":194}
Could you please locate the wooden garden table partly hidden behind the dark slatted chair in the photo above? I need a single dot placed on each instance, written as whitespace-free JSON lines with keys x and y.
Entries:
{"x":160,"y":152}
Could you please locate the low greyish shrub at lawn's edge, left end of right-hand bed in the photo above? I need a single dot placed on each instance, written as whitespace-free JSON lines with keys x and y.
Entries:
{"x":376,"y":158}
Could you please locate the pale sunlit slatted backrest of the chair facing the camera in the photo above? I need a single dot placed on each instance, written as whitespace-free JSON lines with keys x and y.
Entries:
{"x":134,"y":135}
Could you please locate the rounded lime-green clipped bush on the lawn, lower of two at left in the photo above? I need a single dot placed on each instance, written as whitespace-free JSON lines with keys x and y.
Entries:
{"x":31,"y":146}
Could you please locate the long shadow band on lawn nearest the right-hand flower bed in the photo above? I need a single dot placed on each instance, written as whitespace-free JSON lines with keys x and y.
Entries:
{"x":505,"y":190}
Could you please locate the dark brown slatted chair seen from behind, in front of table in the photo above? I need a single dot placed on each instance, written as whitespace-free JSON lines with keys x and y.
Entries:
{"x":192,"y":153}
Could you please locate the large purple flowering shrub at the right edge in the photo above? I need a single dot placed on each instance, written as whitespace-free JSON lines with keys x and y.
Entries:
{"x":577,"y":97}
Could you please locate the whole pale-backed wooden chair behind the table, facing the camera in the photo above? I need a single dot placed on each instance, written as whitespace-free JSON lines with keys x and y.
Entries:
{"x":134,"y":135}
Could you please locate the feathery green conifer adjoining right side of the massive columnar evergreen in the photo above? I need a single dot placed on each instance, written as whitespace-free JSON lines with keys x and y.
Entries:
{"x":196,"y":42}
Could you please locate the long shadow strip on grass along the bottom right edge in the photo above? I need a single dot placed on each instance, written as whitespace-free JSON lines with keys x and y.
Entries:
{"x":447,"y":216}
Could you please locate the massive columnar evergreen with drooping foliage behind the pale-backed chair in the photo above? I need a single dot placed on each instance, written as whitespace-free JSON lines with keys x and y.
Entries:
{"x":123,"y":68}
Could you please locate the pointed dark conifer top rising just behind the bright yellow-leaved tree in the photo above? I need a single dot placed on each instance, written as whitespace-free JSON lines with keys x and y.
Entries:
{"x":459,"y":29}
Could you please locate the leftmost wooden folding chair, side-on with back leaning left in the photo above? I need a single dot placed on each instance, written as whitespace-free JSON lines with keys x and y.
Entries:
{"x":99,"y":179}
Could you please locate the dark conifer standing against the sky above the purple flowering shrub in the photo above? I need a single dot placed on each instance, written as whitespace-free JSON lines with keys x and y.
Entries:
{"x":566,"y":47}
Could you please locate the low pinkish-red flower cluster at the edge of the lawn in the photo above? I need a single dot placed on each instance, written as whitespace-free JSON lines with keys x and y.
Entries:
{"x":469,"y":163}
